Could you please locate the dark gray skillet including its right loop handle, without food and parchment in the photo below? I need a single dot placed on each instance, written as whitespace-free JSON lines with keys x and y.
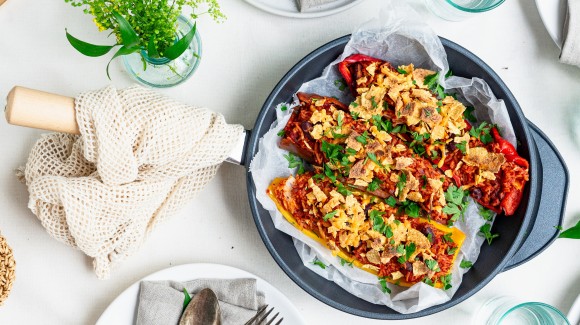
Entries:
{"x":522,"y":236}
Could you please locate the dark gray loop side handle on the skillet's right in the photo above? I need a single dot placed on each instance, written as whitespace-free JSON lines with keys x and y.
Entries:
{"x":554,"y":191}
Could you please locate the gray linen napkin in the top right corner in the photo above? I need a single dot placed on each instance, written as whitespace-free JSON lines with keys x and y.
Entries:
{"x":571,"y":34}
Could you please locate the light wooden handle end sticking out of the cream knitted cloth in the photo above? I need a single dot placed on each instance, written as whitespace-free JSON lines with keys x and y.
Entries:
{"x":41,"y":110}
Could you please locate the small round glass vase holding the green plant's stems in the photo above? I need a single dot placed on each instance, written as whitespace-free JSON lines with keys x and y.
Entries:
{"x":162,"y":72}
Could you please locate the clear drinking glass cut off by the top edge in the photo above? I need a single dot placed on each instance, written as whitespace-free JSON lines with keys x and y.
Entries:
{"x":457,"y":10}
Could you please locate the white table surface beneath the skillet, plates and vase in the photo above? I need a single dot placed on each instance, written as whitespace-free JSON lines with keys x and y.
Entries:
{"x":250,"y":53}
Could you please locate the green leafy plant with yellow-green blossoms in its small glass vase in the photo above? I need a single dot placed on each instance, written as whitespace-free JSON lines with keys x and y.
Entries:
{"x":153,"y":33}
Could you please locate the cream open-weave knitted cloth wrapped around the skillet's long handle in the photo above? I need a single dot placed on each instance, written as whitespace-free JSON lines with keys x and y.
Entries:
{"x":140,"y":157}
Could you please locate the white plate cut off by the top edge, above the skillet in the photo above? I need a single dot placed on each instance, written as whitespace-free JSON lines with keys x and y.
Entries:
{"x":289,"y":8}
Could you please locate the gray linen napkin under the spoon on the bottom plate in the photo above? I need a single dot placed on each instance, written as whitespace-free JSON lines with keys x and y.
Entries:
{"x":161,"y":302}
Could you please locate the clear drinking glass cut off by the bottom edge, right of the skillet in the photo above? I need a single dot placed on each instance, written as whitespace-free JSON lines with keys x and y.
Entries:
{"x":512,"y":311}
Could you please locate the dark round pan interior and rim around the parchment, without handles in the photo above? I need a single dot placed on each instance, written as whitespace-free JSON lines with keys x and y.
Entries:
{"x":512,"y":230}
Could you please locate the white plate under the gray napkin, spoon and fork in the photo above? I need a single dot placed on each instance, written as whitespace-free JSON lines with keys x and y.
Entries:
{"x":124,"y":308}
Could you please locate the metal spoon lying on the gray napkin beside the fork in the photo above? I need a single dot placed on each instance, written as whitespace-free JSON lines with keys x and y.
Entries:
{"x":203,"y":309}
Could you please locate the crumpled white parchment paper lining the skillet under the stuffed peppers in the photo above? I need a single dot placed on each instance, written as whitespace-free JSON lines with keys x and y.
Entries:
{"x":398,"y":36}
